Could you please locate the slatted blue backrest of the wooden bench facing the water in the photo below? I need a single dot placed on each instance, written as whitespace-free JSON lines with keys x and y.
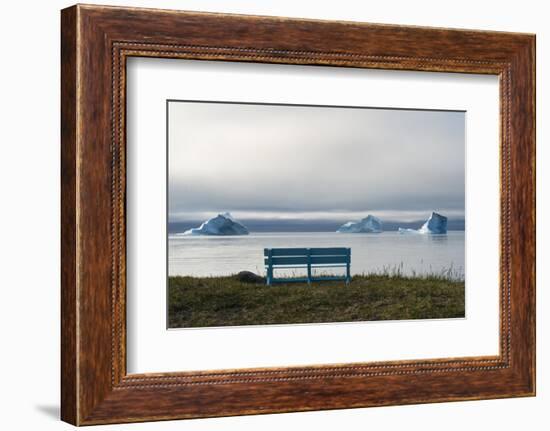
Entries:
{"x":305,"y":256}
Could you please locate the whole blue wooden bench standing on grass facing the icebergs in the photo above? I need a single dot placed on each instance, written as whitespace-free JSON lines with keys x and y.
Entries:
{"x":309,"y":258}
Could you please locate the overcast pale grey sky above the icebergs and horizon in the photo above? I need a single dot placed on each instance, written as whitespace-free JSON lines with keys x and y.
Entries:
{"x":268,"y":161}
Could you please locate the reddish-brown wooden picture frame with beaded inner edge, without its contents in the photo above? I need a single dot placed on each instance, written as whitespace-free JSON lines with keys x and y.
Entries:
{"x":95,"y":43}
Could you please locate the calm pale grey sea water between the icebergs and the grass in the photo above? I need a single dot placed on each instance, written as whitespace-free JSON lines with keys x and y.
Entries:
{"x":420,"y":254}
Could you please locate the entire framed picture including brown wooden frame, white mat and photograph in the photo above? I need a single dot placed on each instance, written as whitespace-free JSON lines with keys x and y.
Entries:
{"x":262,"y":214}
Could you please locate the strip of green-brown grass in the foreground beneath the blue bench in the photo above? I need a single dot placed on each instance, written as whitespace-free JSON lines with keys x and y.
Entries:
{"x":225,"y":301}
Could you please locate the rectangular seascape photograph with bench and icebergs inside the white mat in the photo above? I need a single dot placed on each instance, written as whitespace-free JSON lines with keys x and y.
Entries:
{"x":301,"y":214}
